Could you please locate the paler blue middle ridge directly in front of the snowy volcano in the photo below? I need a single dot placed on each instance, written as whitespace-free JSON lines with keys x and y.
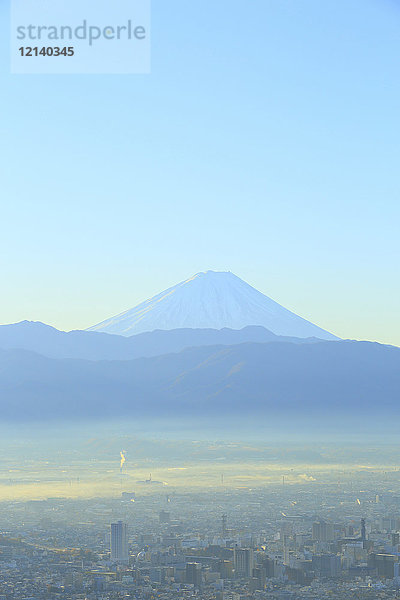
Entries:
{"x":50,"y":342}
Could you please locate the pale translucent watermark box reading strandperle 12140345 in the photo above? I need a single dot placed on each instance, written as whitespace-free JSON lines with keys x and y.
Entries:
{"x":80,"y":36}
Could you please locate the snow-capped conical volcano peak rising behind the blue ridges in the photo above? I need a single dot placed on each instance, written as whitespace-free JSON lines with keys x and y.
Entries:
{"x":211,"y":300}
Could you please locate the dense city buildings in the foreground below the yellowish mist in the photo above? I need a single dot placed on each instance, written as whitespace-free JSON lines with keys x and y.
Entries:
{"x":239,"y":544}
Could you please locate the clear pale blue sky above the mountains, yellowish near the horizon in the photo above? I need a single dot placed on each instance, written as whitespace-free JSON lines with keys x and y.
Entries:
{"x":265,"y":142}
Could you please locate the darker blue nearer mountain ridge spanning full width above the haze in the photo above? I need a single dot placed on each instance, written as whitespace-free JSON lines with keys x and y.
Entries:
{"x":333,"y":380}
